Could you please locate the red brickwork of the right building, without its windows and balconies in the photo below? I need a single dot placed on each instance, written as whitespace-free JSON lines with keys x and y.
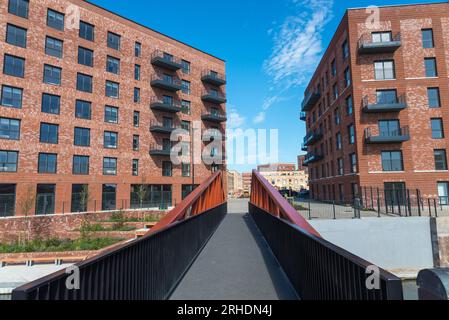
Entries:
{"x":419,"y":171}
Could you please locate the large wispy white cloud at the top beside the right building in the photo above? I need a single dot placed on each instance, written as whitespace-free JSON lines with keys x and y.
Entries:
{"x":298,"y":43}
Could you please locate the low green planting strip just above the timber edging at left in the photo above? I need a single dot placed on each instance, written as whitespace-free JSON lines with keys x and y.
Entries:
{"x":58,"y":245}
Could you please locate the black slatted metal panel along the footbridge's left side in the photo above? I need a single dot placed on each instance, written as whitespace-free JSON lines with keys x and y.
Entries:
{"x":145,"y":269}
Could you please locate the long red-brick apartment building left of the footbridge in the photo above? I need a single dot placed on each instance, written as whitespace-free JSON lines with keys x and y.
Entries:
{"x":88,"y":102}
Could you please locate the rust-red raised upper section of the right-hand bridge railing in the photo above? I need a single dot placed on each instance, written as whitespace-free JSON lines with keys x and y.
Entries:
{"x":266,"y":197}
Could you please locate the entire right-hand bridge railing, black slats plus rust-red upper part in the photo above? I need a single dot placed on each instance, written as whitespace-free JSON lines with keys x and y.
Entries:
{"x":317,"y":269}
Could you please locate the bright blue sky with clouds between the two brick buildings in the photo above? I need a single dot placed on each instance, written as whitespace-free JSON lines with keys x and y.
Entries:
{"x":269,"y":55}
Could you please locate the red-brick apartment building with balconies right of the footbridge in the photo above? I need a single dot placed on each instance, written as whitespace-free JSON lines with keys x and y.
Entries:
{"x":376,"y":107}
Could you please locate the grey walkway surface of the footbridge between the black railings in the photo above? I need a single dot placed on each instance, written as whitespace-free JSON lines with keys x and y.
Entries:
{"x":236,"y":264}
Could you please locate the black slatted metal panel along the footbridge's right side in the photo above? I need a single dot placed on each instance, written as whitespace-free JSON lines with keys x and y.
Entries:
{"x":319,"y":270}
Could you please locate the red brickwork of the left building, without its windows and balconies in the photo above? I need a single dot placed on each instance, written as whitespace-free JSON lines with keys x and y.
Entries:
{"x":29,"y":146}
